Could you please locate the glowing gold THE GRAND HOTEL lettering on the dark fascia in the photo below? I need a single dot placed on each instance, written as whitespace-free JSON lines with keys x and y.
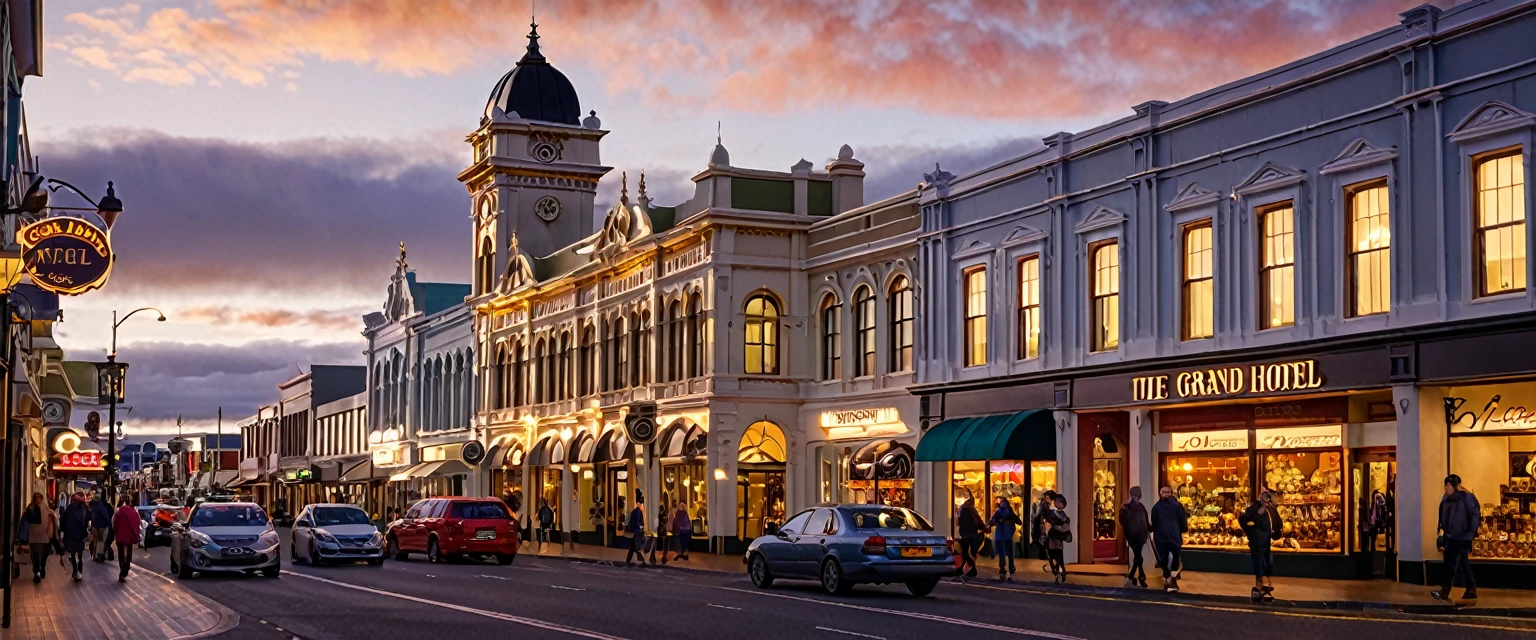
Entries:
{"x":1228,"y":381}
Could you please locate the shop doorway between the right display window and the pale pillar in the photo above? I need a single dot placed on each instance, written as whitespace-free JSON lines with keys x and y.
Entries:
{"x":1374,"y":478}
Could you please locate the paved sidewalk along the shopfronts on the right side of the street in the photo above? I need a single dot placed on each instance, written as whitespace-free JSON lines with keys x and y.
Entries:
{"x":1108,"y":581}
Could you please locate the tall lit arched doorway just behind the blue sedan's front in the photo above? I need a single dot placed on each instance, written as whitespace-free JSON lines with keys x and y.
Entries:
{"x":760,"y":481}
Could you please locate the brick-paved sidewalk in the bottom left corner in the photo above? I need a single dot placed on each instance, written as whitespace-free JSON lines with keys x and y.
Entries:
{"x":145,"y":607}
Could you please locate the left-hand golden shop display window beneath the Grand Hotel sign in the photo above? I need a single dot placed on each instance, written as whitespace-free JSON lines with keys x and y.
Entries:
{"x":1214,"y":492}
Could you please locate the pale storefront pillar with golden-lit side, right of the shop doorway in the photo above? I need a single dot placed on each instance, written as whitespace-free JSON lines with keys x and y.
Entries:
{"x":1423,"y":454}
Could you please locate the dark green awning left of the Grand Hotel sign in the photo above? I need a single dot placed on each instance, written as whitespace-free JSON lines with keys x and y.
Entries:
{"x":1004,"y":437}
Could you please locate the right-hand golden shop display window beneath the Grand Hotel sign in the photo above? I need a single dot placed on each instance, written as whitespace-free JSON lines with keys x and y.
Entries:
{"x":1309,"y":493}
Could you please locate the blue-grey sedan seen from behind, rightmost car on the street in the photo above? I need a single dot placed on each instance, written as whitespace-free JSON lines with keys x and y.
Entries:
{"x":842,"y":546}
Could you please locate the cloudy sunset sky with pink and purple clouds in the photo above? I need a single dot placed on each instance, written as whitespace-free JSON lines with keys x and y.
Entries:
{"x":273,"y":154}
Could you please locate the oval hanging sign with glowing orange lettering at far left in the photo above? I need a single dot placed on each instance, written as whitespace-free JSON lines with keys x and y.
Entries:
{"x":67,"y":256}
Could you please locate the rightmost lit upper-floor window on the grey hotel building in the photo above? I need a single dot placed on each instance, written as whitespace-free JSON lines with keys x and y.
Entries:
{"x":1501,"y":223}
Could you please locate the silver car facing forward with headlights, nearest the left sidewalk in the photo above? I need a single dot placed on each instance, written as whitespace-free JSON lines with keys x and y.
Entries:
{"x":228,"y":538}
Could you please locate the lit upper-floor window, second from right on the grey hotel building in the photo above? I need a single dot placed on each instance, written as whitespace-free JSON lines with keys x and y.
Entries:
{"x":1369,"y":251}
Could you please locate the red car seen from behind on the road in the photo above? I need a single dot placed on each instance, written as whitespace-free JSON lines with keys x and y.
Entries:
{"x":449,"y":529}
